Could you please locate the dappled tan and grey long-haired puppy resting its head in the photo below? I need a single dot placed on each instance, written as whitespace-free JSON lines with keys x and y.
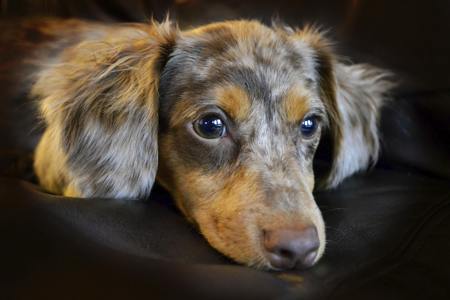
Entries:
{"x":227,"y":117}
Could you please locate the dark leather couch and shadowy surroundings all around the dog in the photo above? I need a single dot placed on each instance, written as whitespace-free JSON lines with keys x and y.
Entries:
{"x":388,"y":230}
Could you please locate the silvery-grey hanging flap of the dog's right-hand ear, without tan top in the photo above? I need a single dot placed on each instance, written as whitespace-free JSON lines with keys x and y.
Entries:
{"x":361,"y":91}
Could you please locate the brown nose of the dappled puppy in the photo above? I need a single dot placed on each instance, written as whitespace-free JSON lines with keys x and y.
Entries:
{"x":288,"y":248}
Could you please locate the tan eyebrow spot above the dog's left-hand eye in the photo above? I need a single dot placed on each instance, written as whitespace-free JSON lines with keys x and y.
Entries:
{"x":234,"y":101}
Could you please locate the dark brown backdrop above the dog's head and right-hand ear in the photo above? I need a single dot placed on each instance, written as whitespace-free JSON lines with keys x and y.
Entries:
{"x":409,"y":37}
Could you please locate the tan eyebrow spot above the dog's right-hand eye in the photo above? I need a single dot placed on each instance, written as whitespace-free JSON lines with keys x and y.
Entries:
{"x":295,"y":104}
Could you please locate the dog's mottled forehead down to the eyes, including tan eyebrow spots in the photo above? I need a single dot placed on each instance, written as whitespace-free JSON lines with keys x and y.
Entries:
{"x":239,"y":65}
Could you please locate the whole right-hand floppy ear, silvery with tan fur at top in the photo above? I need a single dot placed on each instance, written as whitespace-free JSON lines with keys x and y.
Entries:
{"x":353,"y":96}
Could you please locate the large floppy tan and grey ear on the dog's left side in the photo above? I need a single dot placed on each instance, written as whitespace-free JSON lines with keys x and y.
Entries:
{"x":100,"y":106}
